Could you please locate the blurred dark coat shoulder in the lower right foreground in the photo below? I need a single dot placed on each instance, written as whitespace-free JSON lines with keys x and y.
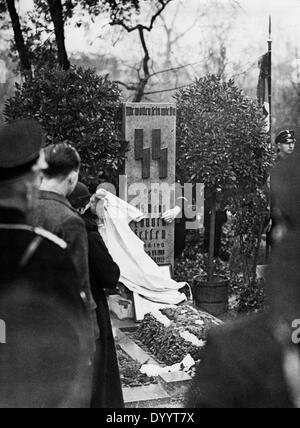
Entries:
{"x":242,"y":367}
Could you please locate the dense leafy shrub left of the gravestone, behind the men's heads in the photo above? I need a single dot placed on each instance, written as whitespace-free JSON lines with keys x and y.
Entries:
{"x":79,"y":107}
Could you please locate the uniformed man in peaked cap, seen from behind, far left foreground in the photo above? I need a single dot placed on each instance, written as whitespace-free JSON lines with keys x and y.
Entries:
{"x":46,"y":357}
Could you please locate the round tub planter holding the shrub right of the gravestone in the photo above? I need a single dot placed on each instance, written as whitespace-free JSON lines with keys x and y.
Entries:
{"x":211,"y":297}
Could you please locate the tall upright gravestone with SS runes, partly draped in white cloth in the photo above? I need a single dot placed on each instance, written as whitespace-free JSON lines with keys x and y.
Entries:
{"x":150,"y":130}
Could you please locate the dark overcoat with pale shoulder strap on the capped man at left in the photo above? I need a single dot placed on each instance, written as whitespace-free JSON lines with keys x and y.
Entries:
{"x":46,"y":356}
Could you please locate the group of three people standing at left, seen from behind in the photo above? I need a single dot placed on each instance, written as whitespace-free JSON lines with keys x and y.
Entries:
{"x":54,"y":267}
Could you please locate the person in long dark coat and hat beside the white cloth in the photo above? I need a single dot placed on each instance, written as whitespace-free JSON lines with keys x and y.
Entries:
{"x":104,"y":275}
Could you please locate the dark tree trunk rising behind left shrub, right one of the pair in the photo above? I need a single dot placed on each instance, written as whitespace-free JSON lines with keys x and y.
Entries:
{"x":56,"y":11}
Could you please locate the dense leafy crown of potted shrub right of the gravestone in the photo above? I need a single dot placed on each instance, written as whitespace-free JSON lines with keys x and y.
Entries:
{"x":220,"y":139}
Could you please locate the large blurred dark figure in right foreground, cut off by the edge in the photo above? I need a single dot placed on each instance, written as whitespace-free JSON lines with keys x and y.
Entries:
{"x":254,"y":363}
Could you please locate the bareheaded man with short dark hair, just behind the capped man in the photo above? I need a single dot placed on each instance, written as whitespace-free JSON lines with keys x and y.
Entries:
{"x":55,"y":214}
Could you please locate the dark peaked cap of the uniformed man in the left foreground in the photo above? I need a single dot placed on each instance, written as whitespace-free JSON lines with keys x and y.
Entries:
{"x":20,"y":145}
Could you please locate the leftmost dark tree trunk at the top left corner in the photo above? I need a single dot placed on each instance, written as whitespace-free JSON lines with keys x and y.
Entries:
{"x":25,"y":63}
